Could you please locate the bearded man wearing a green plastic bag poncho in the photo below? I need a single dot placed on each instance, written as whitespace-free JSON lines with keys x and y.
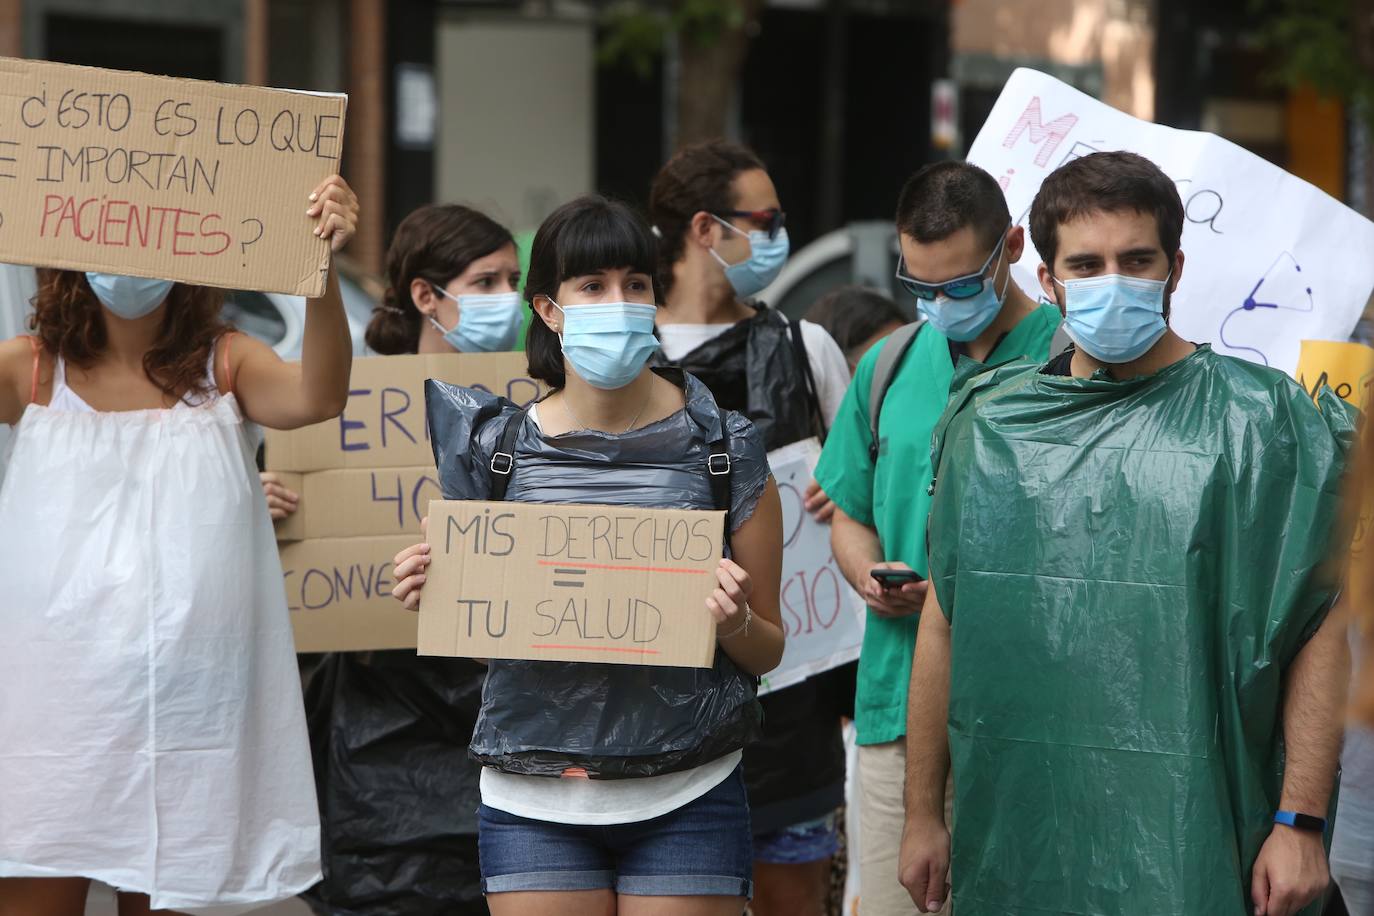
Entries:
{"x":1125,"y":656}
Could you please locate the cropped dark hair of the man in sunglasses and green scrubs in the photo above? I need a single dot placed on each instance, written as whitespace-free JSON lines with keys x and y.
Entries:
{"x":946,"y":197}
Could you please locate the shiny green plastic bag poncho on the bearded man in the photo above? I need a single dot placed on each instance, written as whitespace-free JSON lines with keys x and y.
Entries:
{"x":1129,"y":568}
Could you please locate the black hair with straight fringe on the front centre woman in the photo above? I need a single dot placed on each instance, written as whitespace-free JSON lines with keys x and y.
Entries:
{"x":583,"y":237}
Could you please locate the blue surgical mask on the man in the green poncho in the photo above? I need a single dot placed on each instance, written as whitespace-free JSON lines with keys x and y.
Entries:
{"x":1115,"y":319}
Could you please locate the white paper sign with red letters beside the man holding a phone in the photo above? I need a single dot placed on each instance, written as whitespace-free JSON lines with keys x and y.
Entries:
{"x":821,"y":615}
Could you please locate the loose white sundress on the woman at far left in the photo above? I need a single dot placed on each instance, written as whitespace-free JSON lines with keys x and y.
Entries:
{"x":152,"y":727}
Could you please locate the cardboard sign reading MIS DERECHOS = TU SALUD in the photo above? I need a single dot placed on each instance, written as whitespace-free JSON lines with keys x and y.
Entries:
{"x":571,"y":583}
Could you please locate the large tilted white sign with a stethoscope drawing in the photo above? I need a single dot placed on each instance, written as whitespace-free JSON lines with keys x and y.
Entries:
{"x":1270,"y":259}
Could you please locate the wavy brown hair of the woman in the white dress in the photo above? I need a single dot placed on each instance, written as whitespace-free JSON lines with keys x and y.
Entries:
{"x":69,"y":322}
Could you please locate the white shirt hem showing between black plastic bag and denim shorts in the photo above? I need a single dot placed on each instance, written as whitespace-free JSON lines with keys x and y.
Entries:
{"x":601,"y":801}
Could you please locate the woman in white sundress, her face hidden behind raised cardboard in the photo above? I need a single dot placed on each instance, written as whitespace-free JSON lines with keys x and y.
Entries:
{"x":152,"y":731}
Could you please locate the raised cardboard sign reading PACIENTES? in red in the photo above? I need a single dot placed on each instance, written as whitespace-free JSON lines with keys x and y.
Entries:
{"x":175,"y":179}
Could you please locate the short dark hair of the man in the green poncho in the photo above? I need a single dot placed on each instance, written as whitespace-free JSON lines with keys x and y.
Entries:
{"x":1105,"y":183}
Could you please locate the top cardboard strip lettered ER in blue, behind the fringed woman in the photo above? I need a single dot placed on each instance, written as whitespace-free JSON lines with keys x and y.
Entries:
{"x":384,"y":422}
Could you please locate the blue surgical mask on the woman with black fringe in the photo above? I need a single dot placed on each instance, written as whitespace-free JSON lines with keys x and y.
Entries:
{"x":608,"y":343}
